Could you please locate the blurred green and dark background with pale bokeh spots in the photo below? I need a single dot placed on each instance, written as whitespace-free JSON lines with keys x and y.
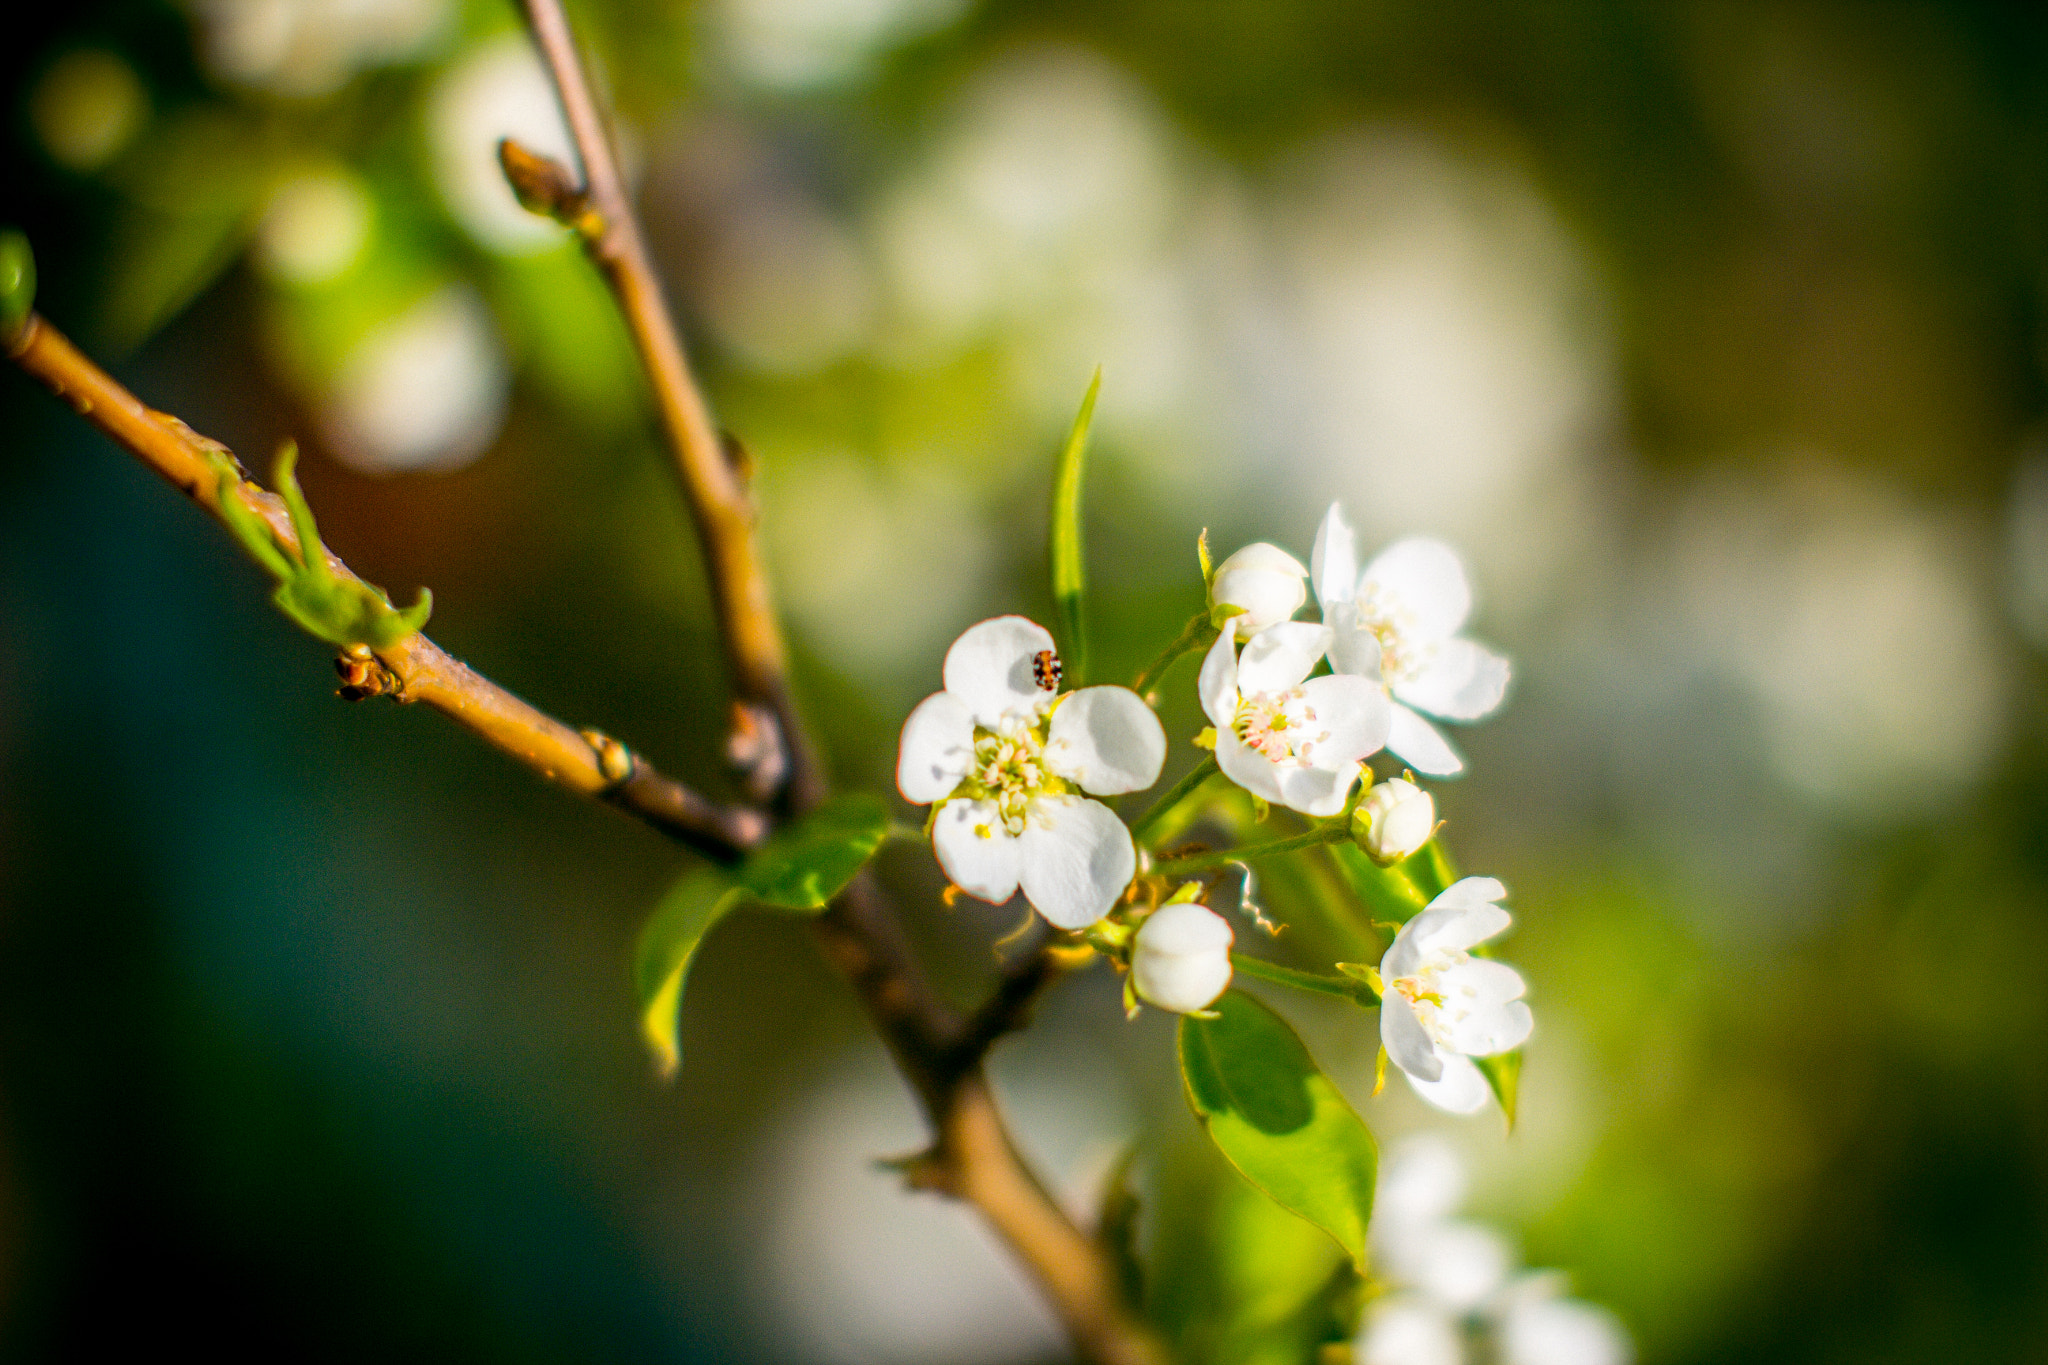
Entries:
{"x":1713,"y":333}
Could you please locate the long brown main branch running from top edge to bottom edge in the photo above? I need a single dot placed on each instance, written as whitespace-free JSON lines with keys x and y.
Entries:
{"x":941,"y":1057}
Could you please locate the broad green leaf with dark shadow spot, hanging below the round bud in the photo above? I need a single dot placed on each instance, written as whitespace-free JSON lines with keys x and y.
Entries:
{"x":1279,"y":1118}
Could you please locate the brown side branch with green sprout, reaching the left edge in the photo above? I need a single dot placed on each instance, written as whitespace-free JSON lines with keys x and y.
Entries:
{"x":415,"y":670}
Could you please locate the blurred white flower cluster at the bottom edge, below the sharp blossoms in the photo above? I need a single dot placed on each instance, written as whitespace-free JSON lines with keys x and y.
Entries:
{"x":1453,"y":1292}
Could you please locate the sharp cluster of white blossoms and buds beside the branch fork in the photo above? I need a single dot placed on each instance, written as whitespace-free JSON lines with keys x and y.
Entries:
{"x":1011,"y":768}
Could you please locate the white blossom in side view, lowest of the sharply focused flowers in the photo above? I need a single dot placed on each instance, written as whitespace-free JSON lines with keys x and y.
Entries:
{"x":1441,"y":1006}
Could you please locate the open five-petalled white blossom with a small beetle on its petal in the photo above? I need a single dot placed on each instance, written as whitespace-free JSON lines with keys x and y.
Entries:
{"x":1011,"y":758}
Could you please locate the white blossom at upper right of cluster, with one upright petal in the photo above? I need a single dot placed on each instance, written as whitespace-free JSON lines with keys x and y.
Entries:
{"x":1398,"y":621}
